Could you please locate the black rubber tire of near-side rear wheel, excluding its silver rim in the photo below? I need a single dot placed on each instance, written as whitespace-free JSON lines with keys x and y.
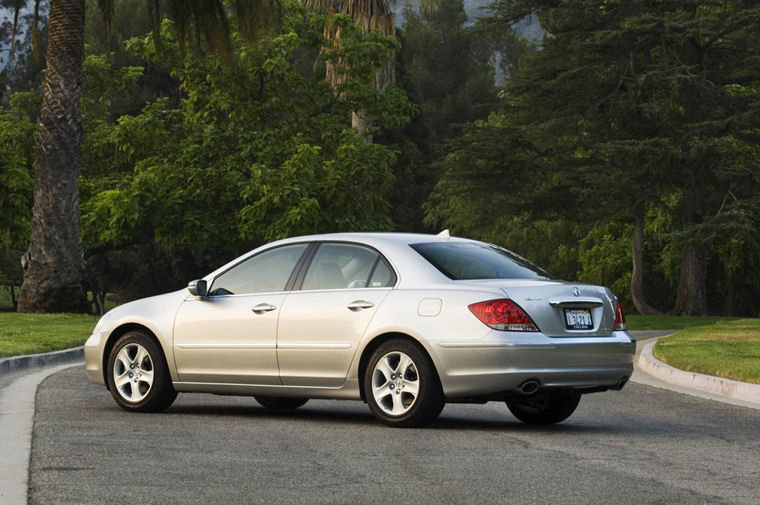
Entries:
{"x":429,"y":401}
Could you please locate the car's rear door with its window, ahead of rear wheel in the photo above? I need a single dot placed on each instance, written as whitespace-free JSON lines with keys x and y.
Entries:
{"x":322,"y":323}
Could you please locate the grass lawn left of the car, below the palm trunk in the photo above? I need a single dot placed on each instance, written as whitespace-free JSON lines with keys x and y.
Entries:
{"x":35,"y":333}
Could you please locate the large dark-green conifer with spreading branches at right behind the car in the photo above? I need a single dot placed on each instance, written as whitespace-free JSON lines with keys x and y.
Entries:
{"x":626,"y":103}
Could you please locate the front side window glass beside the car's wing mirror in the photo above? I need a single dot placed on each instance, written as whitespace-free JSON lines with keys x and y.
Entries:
{"x":264,"y":272}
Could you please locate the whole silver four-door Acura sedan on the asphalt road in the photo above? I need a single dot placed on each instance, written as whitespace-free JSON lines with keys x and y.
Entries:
{"x":403,"y":322}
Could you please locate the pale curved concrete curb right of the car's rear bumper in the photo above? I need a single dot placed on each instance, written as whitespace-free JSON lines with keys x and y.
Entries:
{"x":728,"y":388}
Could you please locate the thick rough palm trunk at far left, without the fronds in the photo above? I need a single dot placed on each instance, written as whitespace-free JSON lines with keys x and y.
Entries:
{"x":54,"y":263}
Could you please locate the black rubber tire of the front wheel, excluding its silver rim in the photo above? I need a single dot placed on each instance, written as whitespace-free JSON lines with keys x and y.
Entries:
{"x":161,"y":393}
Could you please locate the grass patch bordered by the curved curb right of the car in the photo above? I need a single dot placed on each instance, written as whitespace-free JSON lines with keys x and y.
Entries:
{"x":727,"y":348}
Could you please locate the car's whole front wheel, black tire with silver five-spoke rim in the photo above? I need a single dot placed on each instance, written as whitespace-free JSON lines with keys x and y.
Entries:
{"x":132,"y":393}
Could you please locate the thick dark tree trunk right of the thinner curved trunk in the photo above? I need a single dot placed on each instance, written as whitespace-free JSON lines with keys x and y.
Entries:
{"x":692,"y":290}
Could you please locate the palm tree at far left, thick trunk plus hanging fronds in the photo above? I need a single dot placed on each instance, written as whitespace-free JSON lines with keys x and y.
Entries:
{"x":53,"y":265}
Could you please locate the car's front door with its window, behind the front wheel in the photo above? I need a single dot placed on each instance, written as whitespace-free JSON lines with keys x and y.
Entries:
{"x":230,"y":335}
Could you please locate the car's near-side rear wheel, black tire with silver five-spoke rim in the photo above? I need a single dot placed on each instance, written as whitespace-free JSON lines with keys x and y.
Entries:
{"x":413,"y":409}
